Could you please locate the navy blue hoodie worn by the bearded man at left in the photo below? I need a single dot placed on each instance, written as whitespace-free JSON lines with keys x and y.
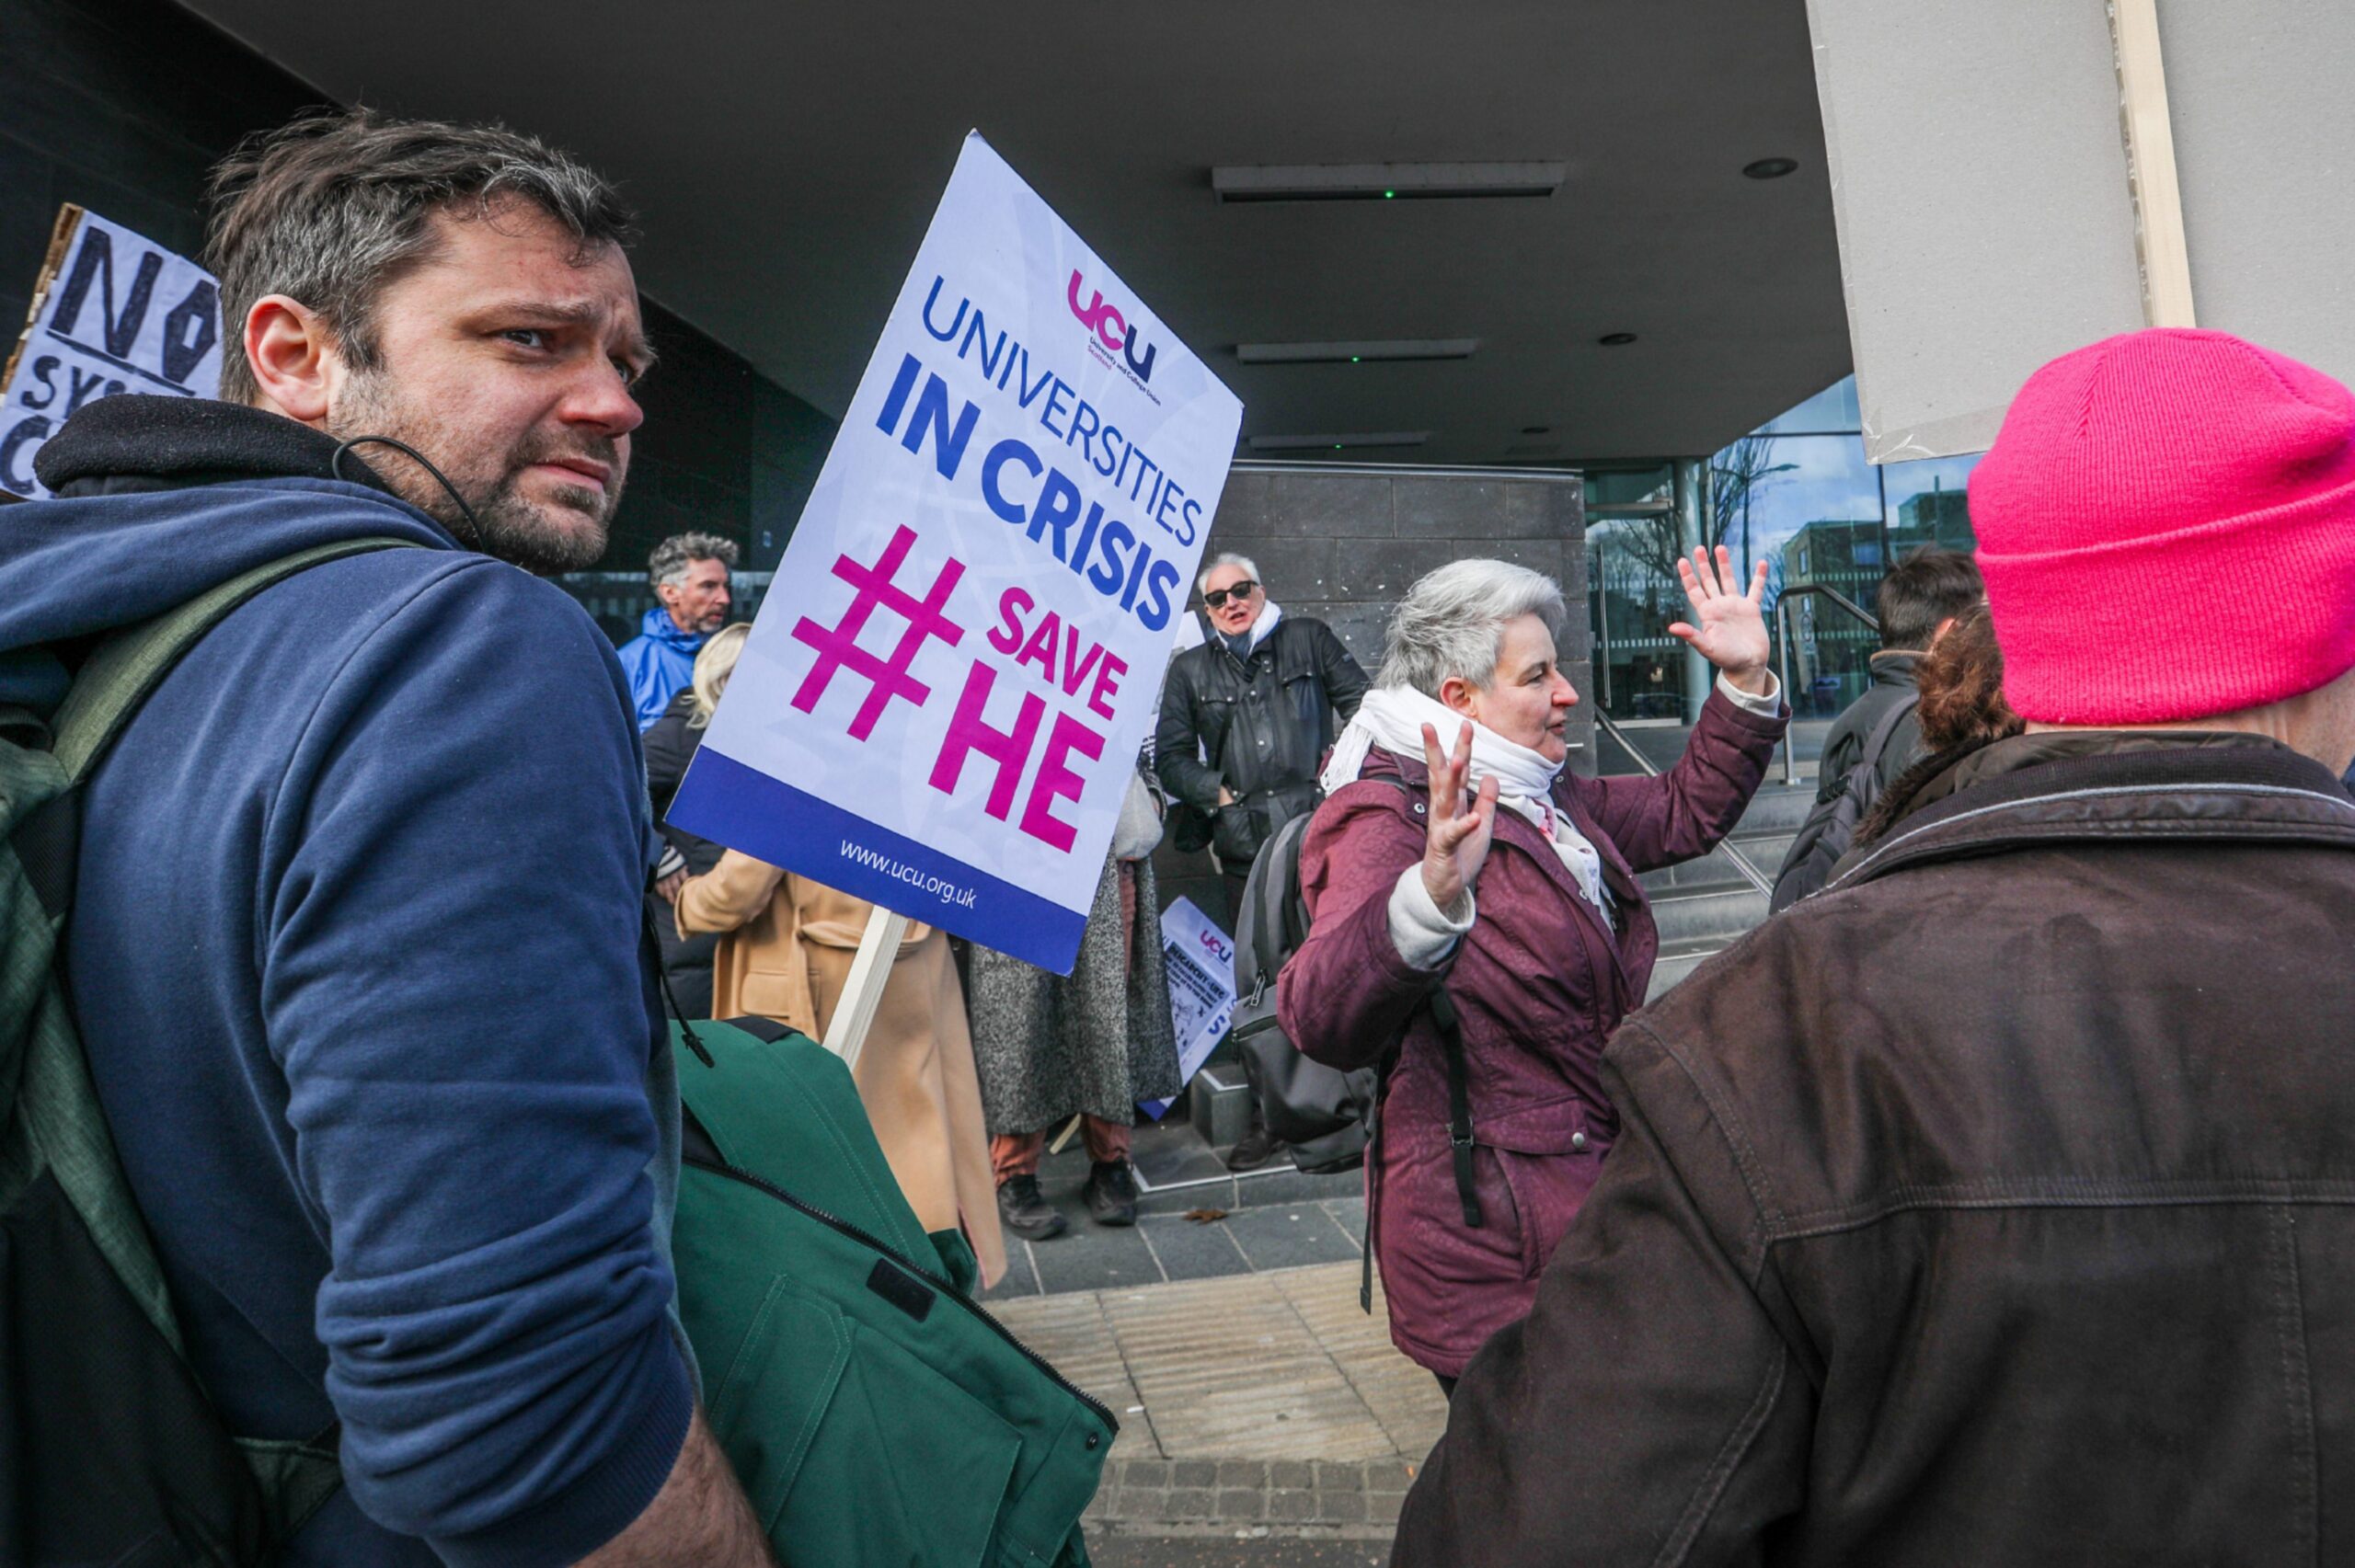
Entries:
{"x":357,"y":959}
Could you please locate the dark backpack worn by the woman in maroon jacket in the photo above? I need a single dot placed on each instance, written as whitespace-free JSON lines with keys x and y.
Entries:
{"x":1327,"y":1117}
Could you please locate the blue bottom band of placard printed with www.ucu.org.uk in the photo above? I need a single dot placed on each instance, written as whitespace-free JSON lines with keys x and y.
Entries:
{"x":743,"y":809}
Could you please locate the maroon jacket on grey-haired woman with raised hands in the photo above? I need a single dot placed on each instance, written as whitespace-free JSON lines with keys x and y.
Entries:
{"x":1541,"y":983}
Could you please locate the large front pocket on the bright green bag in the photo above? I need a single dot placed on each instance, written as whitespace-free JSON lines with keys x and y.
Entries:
{"x":816,"y":1414}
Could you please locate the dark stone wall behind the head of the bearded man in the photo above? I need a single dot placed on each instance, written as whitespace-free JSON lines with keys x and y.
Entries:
{"x":124,"y":107}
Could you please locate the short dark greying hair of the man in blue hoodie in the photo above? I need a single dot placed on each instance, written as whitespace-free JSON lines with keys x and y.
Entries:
{"x":333,"y":206}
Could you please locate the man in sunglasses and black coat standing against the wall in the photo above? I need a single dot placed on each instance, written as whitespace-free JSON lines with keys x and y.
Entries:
{"x":1245,"y":726}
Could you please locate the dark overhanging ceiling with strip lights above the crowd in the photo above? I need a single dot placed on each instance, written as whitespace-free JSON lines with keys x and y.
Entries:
{"x":788,"y":159}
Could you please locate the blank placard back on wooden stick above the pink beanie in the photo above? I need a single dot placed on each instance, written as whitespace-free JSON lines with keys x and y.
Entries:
{"x":1986,"y":204}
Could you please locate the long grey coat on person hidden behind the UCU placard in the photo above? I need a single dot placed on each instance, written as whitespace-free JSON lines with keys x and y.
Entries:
{"x":1052,"y":1047}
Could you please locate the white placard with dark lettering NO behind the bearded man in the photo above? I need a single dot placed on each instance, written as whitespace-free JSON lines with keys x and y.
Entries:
{"x":112,"y":314}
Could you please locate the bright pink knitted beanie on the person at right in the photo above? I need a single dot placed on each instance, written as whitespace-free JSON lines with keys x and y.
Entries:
{"x":2168,"y":531}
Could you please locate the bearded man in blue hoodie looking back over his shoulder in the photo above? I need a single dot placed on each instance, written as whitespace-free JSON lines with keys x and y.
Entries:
{"x":357,"y":936}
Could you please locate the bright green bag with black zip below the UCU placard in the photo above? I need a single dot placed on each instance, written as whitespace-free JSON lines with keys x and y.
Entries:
{"x":870,"y":1407}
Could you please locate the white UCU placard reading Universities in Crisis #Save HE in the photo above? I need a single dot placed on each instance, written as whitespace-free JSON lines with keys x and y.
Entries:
{"x":950,"y":682}
